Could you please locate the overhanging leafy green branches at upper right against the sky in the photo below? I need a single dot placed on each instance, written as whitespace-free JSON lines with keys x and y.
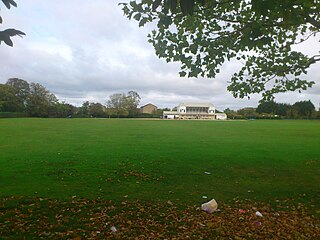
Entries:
{"x":203,"y":34}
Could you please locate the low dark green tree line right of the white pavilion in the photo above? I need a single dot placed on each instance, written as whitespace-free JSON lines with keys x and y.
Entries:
{"x":274,"y":110}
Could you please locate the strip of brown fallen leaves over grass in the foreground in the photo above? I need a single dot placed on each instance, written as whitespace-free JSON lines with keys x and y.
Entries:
{"x":41,"y":218}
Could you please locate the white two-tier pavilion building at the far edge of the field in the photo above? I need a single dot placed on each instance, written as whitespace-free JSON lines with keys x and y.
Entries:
{"x":194,"y":111}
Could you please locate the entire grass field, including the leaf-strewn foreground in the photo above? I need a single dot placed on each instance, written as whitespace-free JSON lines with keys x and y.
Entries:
{"x":77,"y":177}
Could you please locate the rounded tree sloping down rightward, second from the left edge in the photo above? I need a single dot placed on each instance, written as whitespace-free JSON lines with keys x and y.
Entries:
{"x":40,"y":100}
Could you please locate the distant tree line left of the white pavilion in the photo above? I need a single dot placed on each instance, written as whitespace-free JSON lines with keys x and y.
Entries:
{"x":21,"y":98}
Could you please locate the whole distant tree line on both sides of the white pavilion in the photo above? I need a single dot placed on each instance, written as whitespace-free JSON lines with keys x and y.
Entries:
{"x":20,"y":98}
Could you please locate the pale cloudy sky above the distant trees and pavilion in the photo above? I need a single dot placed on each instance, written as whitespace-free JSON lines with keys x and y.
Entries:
{"x":87,"y":50}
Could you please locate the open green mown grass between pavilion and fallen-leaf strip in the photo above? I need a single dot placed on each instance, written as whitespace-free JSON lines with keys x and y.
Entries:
{"x":154,"y":160}
